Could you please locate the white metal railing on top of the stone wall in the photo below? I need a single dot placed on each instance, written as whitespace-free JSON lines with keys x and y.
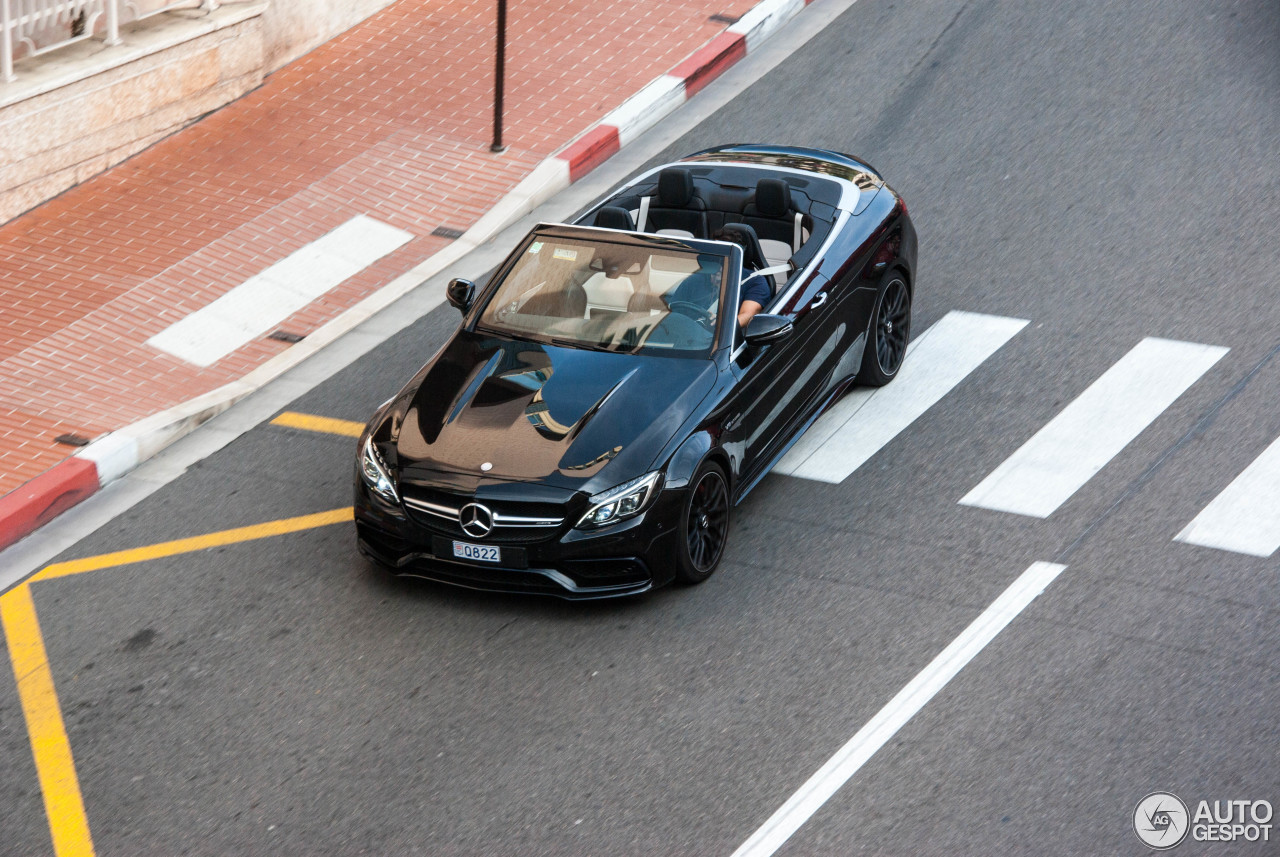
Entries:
{"x":34,"y":28}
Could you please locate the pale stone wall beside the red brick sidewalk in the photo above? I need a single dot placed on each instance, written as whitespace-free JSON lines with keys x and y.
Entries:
{"x":84,"y":109}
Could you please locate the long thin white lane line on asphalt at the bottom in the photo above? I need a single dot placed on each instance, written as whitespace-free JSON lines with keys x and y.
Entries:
{"x":913,"y":698}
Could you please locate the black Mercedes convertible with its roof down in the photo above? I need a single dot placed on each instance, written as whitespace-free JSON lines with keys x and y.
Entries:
{"x":601,"y":410}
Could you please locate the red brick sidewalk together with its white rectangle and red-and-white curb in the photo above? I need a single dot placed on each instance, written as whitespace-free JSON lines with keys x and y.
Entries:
{"x":372,"y":153}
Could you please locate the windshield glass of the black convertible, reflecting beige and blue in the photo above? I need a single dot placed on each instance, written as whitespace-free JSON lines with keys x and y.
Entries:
{"x":605,"y":296}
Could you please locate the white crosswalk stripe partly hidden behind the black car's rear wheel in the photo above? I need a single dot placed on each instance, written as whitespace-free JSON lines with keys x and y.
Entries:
{"x":865,"y":421}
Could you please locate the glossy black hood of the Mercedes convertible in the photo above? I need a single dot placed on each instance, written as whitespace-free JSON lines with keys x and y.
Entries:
{"x":564,"y":418}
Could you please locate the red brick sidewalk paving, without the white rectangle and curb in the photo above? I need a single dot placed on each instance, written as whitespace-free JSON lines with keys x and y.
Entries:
{"x":392,"y":120}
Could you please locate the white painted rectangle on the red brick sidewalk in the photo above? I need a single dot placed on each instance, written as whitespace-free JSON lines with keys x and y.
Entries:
{"x":272,"y":296}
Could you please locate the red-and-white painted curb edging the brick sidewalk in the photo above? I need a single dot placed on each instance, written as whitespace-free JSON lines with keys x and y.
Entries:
{"x":111,"y":457}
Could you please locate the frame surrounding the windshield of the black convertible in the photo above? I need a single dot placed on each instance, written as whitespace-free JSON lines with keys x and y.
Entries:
{"x":726,"y":322}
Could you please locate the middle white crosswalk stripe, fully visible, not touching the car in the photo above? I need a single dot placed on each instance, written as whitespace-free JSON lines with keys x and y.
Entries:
{"x":1089,"y":433}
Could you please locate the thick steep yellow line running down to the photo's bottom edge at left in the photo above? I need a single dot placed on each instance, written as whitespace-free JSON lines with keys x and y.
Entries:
{"x":49,"y":745}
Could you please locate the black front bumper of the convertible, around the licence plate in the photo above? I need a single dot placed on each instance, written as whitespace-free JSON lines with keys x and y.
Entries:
{"x":628,"y":558}
